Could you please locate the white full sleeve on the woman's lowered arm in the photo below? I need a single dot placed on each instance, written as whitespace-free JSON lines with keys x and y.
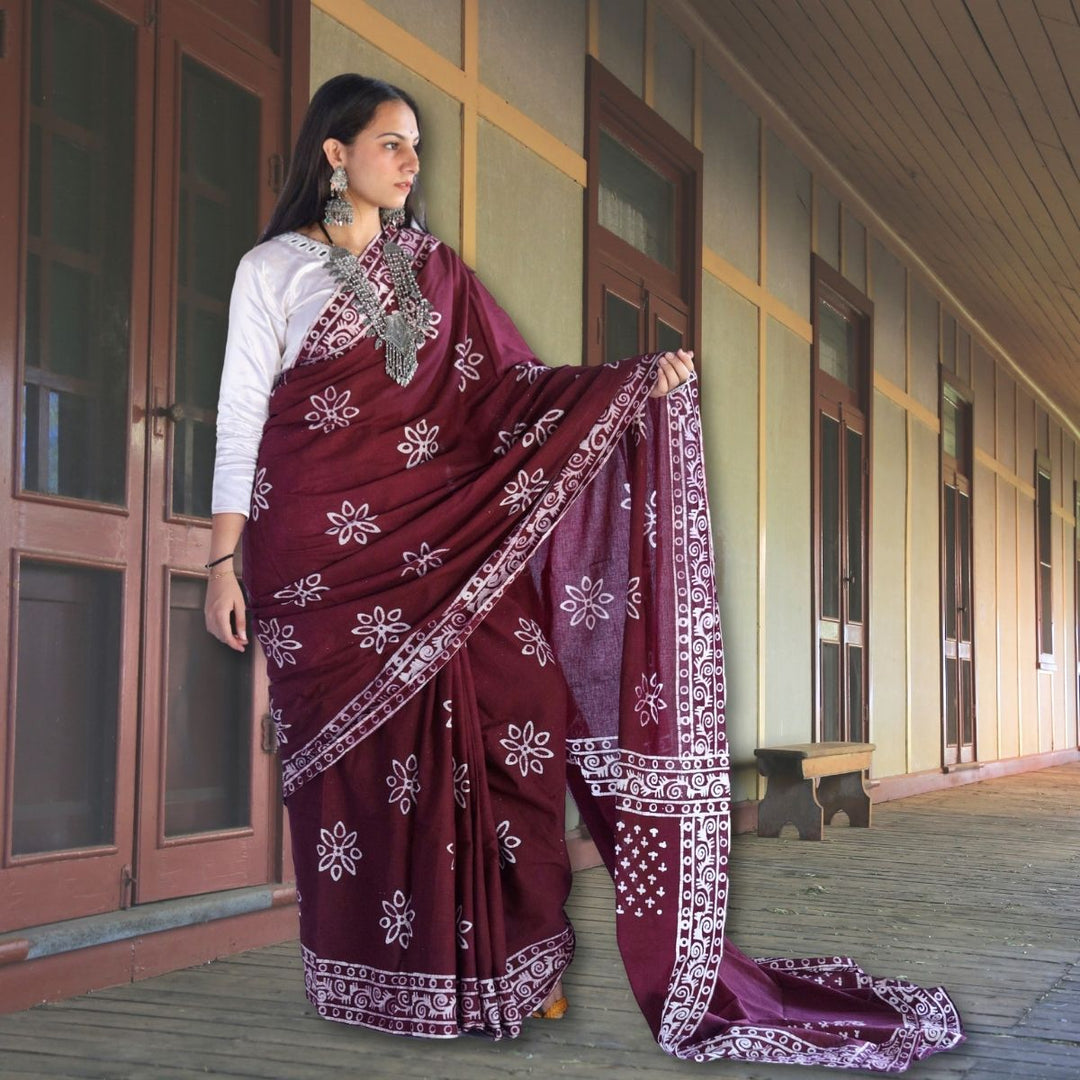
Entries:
{"x":253,"y":359}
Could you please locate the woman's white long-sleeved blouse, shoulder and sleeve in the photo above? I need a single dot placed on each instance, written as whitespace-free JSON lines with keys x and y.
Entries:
{"x":280,"y":289}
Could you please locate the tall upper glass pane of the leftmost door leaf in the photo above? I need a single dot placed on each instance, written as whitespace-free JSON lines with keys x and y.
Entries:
{"x":78,"y":254}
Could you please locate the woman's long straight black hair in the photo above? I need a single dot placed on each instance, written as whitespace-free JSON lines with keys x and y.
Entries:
{"x":341,"y":109}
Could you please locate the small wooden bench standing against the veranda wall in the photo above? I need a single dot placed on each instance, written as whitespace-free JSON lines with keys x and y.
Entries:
{"x":809,"y":782}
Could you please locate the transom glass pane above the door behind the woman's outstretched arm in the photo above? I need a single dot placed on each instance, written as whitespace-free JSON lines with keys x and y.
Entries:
{"x":637,"y":202}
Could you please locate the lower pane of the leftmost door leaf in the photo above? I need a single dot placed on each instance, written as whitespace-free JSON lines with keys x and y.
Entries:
{"x":67,"y":700}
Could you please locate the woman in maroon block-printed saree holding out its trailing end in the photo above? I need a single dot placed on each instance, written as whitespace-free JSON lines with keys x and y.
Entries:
{"x":477,"y":578}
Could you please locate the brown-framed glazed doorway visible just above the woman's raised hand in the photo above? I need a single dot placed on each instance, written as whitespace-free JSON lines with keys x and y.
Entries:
{"x":643,"y":228}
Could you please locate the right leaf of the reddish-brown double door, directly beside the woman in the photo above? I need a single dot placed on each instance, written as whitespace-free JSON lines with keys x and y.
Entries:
{"x":206,"y":779}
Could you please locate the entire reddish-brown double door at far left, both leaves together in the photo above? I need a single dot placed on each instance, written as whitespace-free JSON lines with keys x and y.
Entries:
{"x":144,"y":138}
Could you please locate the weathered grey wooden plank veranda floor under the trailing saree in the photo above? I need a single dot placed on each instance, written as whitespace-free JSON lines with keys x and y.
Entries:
{"x":976,"y":888}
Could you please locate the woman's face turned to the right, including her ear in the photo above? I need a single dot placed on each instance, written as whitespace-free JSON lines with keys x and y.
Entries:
{"x":382,"y":161}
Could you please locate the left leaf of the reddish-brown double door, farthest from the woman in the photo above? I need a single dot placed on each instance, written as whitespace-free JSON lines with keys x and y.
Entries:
{"x":78,"y":88}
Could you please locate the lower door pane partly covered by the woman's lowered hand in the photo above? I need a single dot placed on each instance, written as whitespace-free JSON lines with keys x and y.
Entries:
{"x":208,"y":776}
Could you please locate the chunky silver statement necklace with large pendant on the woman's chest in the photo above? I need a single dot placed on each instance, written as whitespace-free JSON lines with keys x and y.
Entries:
{"x":398,"y":333}
